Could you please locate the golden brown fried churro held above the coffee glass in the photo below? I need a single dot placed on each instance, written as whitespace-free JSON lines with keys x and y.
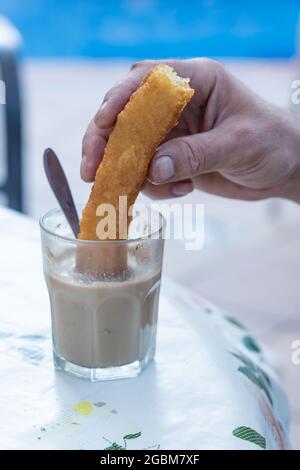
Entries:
{"x":147,"y":118}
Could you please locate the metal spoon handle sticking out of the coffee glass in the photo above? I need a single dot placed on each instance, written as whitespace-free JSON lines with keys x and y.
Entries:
{"x":61,"y":189}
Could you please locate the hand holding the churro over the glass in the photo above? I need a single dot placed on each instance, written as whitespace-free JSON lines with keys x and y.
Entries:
{"x":228,"y":141}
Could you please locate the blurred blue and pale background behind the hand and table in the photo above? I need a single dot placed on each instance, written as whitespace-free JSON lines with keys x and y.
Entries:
{"x":58,"y":58}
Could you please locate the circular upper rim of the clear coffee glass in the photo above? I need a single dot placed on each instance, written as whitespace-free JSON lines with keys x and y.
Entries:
{"x":91,"y":242}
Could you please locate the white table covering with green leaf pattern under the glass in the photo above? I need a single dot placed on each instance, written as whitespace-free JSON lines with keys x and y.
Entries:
{"x":210,"y":386}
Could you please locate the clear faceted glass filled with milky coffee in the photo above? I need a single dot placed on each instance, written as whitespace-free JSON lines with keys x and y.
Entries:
{"x":104,"y":297}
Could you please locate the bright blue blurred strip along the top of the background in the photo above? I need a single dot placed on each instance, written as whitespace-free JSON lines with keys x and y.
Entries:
{"x":155,"y":28}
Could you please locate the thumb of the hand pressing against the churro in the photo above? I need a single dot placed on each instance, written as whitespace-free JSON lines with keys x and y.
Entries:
{"x":188,"y":156}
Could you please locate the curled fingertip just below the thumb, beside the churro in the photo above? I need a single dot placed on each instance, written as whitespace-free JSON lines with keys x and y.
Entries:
{"x":167,"y":191}
